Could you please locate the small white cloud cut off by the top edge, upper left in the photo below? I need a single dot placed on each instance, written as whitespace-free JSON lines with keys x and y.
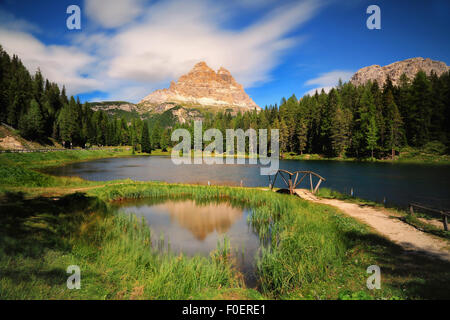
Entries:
{"x":113,"y":13}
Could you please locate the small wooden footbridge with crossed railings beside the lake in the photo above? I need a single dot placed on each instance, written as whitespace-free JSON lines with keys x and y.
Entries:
{"x":292,"y":181}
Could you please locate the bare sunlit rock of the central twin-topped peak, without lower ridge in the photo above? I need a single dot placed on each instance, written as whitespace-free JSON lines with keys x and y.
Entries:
{"x":201,"y":87}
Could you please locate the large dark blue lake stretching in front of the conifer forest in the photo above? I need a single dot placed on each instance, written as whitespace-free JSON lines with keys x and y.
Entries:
{"x":399,"y":184}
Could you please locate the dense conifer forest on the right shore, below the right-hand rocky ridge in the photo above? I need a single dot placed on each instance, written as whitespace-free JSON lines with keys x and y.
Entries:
{"x":363,"y":121}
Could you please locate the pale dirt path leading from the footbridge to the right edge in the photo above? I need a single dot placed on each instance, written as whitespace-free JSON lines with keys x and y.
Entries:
{"x":395,"y":230}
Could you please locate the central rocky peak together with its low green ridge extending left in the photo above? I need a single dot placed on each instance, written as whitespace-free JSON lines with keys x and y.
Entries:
{"x":201,"y":89}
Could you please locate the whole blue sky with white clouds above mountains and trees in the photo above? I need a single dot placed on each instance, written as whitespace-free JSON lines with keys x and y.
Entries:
{"x":128,"y":48}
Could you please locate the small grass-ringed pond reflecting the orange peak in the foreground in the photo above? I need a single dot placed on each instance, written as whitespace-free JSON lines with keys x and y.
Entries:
{"x":192,"y":228}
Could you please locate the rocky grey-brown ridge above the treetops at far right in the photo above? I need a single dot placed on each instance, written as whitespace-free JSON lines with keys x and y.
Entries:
{"x":410,"y":67}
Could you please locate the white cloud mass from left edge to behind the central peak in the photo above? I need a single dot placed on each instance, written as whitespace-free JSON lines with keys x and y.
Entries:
{"x":159,"y":42}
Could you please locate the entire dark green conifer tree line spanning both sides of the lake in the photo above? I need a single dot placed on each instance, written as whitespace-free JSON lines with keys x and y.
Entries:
{"x":348,"y":121}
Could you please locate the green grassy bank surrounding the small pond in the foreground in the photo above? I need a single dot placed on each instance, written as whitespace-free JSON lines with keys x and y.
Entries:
{"x":315,"y":251}
